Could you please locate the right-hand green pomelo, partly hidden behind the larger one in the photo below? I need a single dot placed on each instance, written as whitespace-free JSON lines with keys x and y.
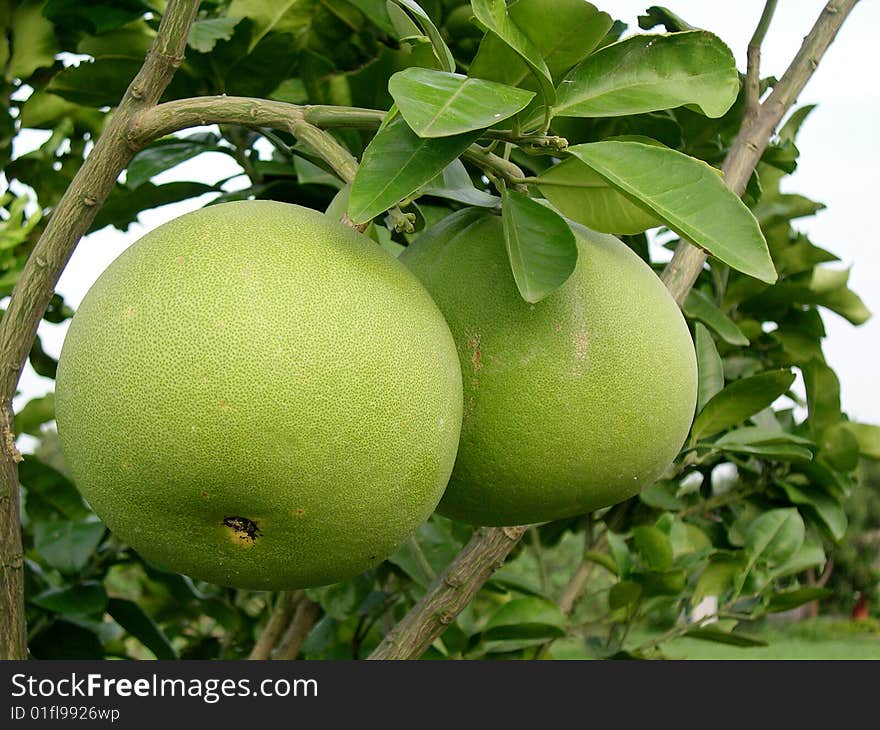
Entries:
{"x":570,"y":404}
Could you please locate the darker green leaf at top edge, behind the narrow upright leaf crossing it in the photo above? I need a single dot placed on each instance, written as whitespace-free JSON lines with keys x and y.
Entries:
{"x":564,"y":32}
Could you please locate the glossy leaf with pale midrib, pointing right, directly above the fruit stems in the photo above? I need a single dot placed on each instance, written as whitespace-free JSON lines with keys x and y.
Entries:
{"x":441,"y":104}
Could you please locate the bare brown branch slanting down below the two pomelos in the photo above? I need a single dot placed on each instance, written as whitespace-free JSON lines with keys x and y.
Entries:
{"x":449,"y":594}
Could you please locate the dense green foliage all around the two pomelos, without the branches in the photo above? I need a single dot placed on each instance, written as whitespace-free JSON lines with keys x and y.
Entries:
{"x":768,"y":488}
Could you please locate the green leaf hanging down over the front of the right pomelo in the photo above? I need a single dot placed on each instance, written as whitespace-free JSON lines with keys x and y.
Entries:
{"x":541,"y":246}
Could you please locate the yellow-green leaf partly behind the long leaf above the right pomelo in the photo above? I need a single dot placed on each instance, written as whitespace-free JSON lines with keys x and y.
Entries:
{"x":586,"y":197}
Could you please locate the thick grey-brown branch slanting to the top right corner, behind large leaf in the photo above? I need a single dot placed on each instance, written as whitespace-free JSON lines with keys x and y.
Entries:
{"x":754,"y":136}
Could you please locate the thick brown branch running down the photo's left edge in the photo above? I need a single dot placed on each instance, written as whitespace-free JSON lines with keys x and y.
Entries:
{"x":70,"y":220}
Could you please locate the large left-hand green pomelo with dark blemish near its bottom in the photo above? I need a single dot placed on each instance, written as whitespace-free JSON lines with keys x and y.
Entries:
{"x":257,"y":396}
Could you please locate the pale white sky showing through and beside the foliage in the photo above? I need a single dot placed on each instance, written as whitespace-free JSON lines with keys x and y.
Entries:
{"x":839,"y":149}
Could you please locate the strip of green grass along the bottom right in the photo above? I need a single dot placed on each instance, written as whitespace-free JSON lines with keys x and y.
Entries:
{"x":816,"y":639}
